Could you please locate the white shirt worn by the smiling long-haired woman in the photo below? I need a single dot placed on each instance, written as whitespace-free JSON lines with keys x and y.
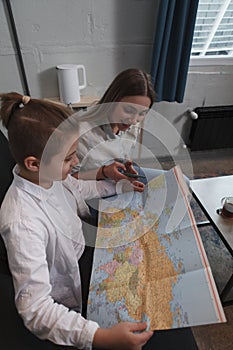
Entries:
{"x":98,"y":145}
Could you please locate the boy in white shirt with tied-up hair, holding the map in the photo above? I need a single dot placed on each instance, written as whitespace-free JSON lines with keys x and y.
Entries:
{"x":42,"y":231}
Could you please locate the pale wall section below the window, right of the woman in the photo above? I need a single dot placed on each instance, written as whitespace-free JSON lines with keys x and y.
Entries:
{"x":206,"y":86}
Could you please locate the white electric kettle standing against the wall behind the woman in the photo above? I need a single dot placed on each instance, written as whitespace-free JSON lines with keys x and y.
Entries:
{"x":68,"y":82}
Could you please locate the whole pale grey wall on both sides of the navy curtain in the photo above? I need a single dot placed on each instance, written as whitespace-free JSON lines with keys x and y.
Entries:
{"x":106,"y":36}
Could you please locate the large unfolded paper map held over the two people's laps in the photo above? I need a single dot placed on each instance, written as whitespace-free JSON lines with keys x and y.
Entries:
{"x":149,"y":262}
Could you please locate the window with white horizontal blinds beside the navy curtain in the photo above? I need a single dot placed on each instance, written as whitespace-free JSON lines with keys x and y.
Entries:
{"x":213,"y":33}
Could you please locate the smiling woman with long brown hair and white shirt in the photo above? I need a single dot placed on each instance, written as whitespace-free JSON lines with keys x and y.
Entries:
{"x":111,"y":130}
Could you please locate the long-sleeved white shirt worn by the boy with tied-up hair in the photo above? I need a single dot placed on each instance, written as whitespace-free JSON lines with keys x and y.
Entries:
{"x":44,"y":240}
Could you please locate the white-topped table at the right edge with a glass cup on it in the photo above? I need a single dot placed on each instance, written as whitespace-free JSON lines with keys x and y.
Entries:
{"x":208,"y":192}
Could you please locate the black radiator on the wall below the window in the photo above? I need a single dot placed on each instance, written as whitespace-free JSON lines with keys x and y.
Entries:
{"x":212,"y":129}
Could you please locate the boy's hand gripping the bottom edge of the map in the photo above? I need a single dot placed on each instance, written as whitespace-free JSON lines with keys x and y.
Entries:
{"x":122,"y":336}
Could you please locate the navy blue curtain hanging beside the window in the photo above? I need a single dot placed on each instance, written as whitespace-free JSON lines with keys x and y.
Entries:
{"x":172,"y":47}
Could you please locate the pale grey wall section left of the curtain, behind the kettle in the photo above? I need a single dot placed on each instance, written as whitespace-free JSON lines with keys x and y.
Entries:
{"x":105,"y":35}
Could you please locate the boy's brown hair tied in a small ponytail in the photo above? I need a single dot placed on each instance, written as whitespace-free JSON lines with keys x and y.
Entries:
{"x":30,"y":123}
